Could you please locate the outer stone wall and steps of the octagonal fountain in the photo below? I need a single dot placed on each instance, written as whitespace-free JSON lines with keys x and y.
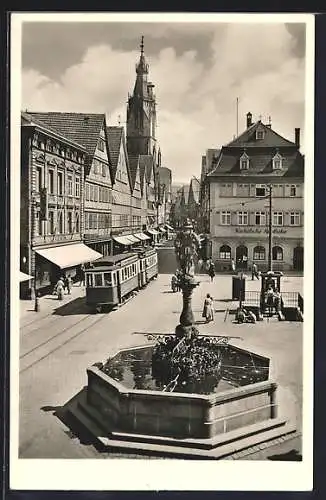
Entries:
{"x":184,"y":425}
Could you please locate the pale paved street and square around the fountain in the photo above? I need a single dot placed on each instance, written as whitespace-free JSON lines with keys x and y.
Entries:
{"x":56,"y":347}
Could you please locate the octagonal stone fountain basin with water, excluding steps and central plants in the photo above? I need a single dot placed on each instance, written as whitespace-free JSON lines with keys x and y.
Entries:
{"x":124,"y":396}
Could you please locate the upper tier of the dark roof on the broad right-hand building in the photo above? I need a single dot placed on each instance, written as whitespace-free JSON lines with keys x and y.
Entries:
{"x":248,"y":138}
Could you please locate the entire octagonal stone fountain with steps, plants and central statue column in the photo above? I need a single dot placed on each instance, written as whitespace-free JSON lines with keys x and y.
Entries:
{"x":185,"y":395}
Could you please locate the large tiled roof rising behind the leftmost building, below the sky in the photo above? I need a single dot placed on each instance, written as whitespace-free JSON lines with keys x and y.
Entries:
{"x":83,"y":128}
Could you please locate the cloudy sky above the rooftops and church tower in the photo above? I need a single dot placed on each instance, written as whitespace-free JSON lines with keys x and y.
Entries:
{"x":198,"y":70}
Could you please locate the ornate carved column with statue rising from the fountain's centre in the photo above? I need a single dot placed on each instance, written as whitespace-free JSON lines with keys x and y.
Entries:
{"x":187,"y":245}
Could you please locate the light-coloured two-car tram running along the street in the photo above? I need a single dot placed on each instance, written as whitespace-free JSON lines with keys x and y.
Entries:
{"x":111,"y":280}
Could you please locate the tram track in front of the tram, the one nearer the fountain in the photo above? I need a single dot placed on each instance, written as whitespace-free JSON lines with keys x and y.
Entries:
{"x":52,"y":339}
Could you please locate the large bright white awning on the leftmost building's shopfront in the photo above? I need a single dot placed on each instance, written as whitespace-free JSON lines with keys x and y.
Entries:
{"x":69,"y":255}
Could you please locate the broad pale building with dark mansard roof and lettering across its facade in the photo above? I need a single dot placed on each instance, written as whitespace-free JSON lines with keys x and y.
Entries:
{"x":239,"y":187}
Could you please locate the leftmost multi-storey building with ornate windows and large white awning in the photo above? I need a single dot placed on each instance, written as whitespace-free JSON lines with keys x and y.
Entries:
{"x":51,"y":224}
